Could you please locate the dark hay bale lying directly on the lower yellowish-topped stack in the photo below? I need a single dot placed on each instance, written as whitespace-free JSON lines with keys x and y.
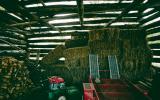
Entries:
{"x":76,"y":43}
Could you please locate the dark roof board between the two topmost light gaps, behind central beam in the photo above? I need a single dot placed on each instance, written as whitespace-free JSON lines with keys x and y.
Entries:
{"x":73,"y":8}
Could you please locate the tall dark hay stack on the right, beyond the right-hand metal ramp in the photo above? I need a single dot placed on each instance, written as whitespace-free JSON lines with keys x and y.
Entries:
{"x":135,"y":56}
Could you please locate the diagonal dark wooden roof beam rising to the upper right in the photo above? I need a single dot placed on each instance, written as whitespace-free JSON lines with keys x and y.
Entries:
{"x":125,"y":11}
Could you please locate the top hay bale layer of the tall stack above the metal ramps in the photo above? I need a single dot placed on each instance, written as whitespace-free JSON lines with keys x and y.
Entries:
{"x":107,"y":34}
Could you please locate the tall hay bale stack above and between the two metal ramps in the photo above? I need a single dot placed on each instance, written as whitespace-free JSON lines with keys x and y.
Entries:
{"x":104,"y":42}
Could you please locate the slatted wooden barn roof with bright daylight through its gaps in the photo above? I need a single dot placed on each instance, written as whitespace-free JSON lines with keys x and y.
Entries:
{"x":52,"y":18}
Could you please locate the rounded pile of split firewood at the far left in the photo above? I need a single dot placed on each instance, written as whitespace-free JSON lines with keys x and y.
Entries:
{"x":14,"y":79}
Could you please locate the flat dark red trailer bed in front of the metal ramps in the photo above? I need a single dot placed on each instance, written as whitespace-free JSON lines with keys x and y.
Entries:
{"x":116,"y":89}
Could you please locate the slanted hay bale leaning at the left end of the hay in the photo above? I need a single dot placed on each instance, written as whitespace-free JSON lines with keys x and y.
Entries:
{"x":53,"y":56}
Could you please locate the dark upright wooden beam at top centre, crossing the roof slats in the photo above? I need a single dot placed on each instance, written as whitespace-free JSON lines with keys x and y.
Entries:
{"x":80,"y":10}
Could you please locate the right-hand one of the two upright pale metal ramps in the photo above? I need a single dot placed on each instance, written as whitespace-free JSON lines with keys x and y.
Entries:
{"x":113,"y":66}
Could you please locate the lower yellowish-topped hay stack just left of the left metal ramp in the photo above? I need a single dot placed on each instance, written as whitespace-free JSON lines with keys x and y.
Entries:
{"x":76,"y":60}
